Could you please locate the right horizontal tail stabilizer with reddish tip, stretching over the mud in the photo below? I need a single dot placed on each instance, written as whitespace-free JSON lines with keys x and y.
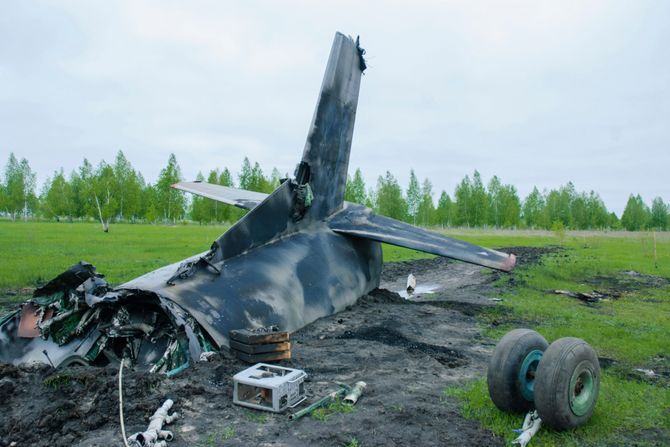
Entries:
{"x":362,"y":222}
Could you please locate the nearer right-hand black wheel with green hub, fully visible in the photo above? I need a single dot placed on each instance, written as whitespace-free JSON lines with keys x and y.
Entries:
{"x":567,"y":385}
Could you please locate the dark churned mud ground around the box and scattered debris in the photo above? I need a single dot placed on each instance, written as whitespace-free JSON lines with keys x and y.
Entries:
{"x":407,"y":351}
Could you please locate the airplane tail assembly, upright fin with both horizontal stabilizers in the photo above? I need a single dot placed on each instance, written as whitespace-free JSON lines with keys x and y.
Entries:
{"x":317,"y":191}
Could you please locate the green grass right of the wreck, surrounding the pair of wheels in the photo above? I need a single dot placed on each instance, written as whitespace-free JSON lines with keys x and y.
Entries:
{"x":633,"y":330}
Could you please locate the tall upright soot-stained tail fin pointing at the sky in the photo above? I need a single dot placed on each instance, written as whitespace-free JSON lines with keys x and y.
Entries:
{"x":329,"y":140}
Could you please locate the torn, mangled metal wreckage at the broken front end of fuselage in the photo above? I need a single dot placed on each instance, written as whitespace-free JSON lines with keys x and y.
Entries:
{"x":77,"y":319}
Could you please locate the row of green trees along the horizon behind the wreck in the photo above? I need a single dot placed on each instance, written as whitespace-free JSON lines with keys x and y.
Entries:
{"x":118,"y":193}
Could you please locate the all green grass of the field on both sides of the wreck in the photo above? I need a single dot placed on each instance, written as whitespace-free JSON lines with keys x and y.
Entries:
{"x":632,"y":331}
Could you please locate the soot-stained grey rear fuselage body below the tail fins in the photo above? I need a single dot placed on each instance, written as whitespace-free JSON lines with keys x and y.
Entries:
{"x":288,"y":283}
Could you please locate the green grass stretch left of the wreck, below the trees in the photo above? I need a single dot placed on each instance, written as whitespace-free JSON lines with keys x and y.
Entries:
{"x":35,"y":252}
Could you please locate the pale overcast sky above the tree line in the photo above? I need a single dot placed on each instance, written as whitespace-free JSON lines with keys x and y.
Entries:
{"x":538,"y":93}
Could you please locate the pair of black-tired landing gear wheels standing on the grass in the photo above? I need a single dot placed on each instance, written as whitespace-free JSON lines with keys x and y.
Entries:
{"x":561,"y":381}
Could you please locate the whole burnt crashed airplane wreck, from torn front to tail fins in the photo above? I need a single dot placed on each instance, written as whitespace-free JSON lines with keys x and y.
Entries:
{"x":299,"y":254}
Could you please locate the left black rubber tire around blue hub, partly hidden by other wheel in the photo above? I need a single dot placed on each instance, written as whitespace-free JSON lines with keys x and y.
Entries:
{"x":504,"y":367}
